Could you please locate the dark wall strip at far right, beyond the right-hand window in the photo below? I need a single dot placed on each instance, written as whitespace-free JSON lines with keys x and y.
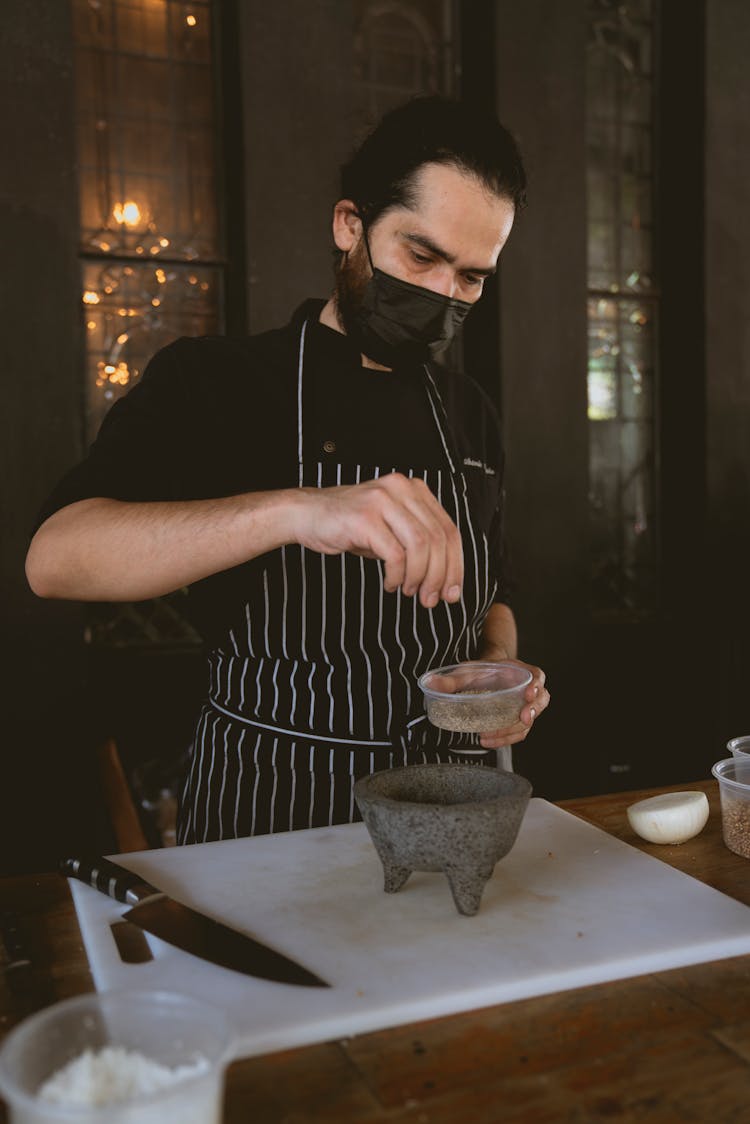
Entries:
{"x":728,"y":359}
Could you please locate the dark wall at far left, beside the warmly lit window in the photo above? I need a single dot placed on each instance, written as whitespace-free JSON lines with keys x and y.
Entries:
{"x":46,"y":769}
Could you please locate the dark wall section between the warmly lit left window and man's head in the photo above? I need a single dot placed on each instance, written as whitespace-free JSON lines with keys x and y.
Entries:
{"x":297,"y":69}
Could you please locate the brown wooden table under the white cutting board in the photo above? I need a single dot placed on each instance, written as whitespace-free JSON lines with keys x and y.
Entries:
{"x":671,"y":1047}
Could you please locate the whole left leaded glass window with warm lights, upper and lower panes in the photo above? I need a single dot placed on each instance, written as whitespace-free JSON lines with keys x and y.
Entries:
{"x":152,"y":256}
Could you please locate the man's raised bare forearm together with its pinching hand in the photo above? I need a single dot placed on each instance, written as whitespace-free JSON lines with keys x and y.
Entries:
{"x":105,"y":550}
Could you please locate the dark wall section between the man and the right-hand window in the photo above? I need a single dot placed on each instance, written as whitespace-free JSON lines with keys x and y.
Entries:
{"x":540,"y":95}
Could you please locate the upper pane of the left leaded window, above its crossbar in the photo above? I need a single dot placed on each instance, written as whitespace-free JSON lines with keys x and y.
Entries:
{"x":146,"y":128}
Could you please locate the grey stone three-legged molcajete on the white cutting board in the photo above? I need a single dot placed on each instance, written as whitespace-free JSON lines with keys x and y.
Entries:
{"x":458,"y":820}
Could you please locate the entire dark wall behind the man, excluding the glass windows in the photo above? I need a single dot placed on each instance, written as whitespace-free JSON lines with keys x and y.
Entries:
{"x":635,"y":703}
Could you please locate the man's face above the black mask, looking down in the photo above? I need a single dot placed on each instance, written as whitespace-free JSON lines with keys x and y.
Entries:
{"x":449,"y":243}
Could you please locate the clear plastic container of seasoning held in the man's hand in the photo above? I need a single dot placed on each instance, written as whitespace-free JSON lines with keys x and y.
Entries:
{"x":476,"y":697}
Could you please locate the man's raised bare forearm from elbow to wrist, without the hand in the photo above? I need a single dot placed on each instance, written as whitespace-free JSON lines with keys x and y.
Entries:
{"x":104,"y":550}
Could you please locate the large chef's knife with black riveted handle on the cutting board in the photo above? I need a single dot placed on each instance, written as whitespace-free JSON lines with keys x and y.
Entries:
{"x":187,"y":929}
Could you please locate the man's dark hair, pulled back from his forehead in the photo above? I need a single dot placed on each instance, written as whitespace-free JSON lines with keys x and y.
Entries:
{"x":381,"y":175}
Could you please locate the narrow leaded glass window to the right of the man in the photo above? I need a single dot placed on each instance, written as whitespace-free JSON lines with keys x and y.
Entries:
{"x":624,"y":310}
